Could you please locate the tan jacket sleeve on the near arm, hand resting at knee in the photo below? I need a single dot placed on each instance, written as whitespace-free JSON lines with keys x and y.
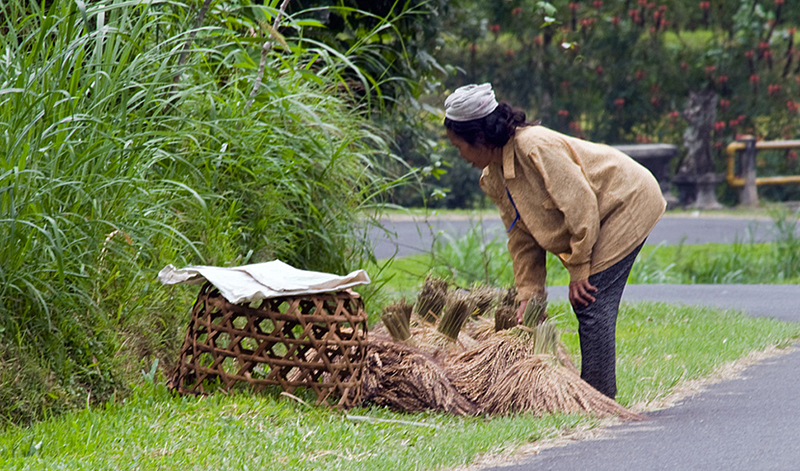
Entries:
{"x":571,"y":193}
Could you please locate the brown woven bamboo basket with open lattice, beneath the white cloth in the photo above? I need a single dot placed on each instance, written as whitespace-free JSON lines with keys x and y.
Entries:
{"x":317,"y":342}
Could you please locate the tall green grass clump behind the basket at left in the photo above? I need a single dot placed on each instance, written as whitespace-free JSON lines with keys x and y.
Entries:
{"x":120,"y":154}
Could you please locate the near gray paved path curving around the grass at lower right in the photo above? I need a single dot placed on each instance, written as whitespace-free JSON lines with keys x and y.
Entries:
{"x":748,"y":423}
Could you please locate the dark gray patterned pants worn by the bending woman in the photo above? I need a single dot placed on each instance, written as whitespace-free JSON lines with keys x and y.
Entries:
{"x":597,"y":325}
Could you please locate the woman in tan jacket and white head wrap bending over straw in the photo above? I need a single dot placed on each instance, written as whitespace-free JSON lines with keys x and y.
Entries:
{"x":589,"y":204}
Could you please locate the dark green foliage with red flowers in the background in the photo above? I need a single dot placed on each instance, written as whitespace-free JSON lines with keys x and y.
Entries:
{"x":621,"y":71}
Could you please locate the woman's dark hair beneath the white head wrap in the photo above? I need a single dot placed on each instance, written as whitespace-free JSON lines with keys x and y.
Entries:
{"x":493,"y":130}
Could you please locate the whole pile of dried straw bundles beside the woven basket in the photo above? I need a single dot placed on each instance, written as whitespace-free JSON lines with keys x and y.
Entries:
{"x":444,"y":359}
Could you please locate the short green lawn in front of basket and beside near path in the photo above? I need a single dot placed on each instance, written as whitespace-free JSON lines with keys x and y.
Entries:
{"x":660,"y":347}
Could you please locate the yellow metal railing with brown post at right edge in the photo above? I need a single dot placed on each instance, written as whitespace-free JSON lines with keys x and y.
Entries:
{"x":748,"y":181}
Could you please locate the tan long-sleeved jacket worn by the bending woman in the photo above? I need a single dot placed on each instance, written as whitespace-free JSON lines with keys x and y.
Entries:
{"x":588,"y":203}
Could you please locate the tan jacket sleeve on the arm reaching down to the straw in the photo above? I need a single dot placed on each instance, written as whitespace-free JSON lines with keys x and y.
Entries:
{"x":527,"y":257}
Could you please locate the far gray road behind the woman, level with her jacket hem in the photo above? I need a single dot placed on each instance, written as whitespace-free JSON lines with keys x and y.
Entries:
{"x":411,"y":237}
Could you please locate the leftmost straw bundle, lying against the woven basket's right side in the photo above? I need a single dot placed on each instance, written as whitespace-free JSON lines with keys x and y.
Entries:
{"x":403,"y":378}
